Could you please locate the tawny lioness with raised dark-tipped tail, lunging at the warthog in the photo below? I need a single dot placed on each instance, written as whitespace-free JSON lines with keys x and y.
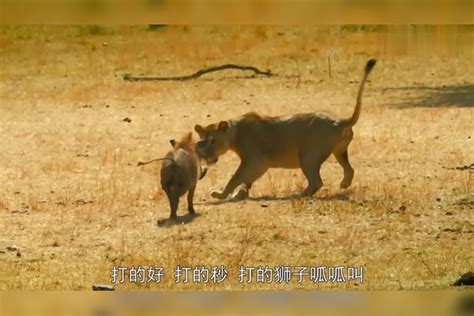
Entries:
{"x":298,"y":141}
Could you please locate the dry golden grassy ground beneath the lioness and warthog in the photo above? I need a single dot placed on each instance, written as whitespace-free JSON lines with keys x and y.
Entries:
{"x":73,"y":203}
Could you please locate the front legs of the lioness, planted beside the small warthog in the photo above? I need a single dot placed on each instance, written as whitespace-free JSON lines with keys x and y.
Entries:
{"x":246,"y":174}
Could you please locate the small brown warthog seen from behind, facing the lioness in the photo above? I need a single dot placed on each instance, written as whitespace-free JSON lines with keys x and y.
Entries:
{"x":180,"y":170}
